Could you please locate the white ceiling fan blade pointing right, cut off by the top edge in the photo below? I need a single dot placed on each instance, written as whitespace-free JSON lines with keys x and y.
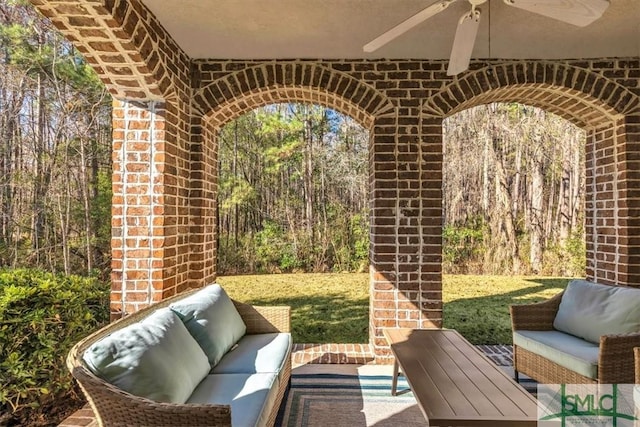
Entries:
{"x":577,"y":12}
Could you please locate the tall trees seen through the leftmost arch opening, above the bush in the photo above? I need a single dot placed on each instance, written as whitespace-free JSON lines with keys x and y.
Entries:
{"x":55,"y":123}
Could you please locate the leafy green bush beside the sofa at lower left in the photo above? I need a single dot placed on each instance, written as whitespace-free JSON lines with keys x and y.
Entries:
{"x":41,"y":316}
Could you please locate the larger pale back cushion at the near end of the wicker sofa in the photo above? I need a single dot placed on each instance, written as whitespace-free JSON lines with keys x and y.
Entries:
{"x":156,"y":358}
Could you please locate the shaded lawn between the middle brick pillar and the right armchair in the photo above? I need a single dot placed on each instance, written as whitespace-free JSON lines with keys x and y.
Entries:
{"x":486,"y":320}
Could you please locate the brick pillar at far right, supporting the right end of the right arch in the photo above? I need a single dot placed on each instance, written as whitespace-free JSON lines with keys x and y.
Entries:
{"x":612,"y":214}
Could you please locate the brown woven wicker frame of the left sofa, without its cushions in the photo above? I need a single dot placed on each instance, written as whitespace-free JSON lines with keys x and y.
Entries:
{"x":115,"y":407}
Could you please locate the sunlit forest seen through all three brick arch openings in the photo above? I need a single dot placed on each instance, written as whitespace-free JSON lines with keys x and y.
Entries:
{"x":294,"y":179}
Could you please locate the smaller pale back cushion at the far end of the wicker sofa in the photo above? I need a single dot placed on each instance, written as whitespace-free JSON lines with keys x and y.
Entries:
{"x":212,"y":319}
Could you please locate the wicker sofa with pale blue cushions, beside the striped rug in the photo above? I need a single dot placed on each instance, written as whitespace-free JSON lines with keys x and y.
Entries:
{"x":196,"y":359}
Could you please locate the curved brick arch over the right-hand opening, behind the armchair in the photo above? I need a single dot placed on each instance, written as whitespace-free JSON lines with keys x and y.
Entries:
{"x":586,"y":98}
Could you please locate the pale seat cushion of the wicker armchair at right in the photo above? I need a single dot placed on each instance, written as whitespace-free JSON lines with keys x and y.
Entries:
{"x":571,"y":352}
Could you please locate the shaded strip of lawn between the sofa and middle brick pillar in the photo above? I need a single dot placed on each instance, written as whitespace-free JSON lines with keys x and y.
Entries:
{"x":325,"y":319}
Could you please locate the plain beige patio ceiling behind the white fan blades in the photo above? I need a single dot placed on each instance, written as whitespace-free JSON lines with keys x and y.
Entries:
{"x":337,"y":29}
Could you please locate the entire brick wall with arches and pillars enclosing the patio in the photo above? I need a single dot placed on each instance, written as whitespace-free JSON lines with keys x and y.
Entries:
{"x":165,"y":181}
